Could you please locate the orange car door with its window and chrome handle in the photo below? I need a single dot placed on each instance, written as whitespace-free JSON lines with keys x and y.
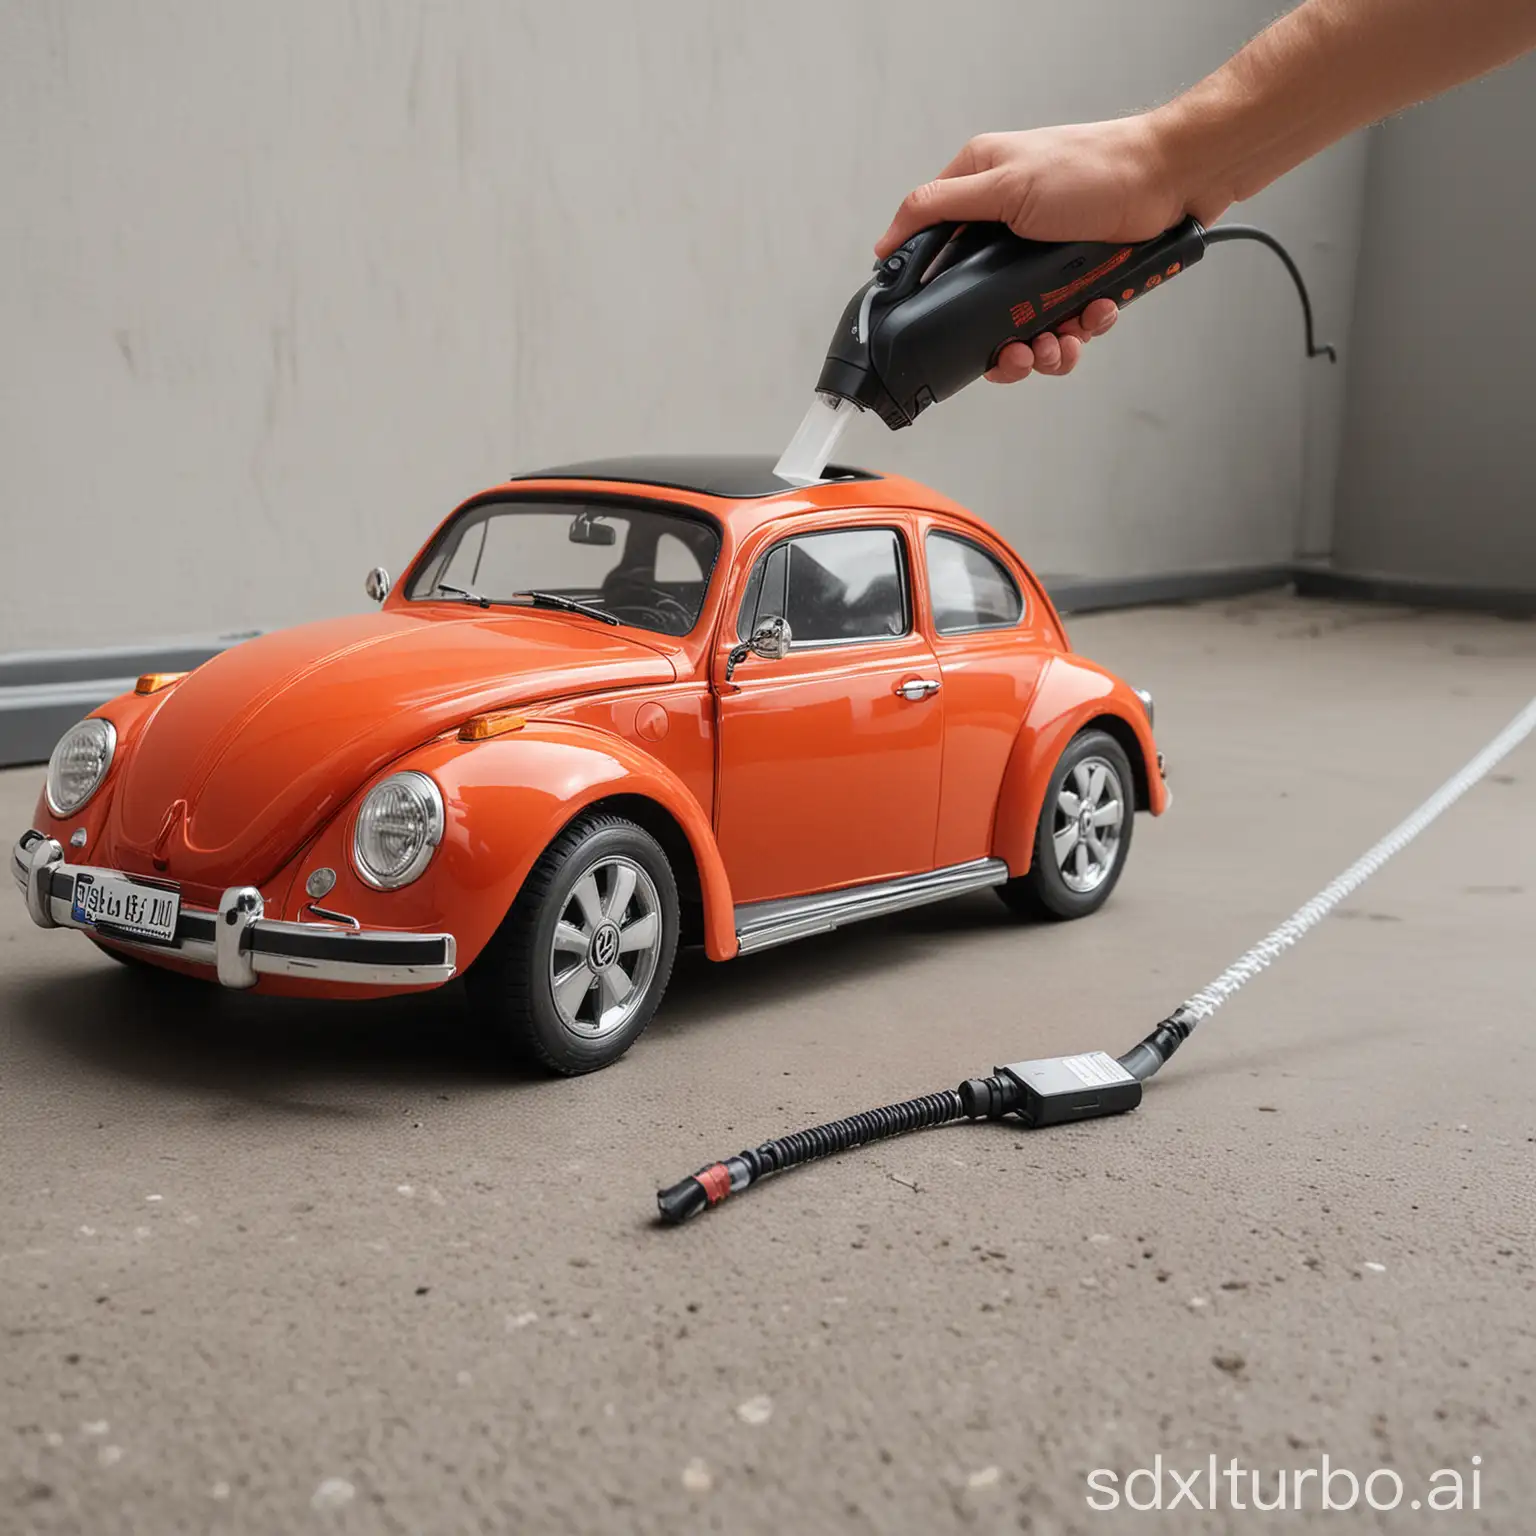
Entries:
{"x":830,"y":756}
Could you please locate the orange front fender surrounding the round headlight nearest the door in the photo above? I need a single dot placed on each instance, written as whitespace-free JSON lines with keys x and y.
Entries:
{"x":506,"y":801}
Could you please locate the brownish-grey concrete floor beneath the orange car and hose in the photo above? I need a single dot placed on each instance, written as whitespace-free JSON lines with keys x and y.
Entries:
{"x":288,"y":1268}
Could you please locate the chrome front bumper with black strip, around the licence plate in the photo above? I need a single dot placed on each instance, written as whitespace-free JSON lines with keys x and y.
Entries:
{"x":239,"y":944}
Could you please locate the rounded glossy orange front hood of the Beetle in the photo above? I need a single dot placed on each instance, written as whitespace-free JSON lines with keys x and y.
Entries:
{"x":256,"y":750}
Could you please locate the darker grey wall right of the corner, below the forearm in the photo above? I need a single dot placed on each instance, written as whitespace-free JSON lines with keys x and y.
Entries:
{"x":1438,"y":482}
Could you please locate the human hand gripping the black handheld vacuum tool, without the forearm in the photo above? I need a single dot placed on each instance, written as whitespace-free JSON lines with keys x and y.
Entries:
{"x":1084,"y":182}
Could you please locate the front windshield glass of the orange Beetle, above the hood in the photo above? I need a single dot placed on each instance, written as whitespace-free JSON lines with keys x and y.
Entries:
{"x":644,"y":566}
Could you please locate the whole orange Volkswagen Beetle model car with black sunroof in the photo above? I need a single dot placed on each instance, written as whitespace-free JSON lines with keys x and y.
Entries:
{"x":609,"y":709}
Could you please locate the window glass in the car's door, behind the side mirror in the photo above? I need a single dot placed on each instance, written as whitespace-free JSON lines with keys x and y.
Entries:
{"x":849,"y":584}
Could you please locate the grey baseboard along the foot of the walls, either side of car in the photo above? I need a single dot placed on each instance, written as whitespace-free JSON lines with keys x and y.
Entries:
{"x":44,"y":694}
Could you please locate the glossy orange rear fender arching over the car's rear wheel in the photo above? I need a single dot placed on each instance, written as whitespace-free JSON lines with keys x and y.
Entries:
{"x":1073,"y":694}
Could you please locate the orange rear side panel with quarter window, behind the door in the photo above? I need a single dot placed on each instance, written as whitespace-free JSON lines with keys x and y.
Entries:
{"x":991,"y":650}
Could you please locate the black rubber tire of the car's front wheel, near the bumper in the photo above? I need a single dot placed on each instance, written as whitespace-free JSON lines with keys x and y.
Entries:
{"x":512,"y":982}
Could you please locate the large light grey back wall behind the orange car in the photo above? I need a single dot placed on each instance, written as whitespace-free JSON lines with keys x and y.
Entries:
{"x":282,"y":283}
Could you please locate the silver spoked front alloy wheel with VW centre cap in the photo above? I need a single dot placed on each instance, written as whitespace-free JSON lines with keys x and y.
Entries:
{"x":607,"y":942}
